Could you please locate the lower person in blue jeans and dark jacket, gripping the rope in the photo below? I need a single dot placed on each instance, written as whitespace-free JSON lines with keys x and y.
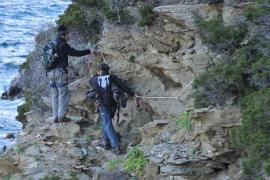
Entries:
{"x":108,"y":89}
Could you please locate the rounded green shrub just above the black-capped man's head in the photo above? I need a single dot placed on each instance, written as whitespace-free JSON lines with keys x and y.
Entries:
{"x":73,"y":16}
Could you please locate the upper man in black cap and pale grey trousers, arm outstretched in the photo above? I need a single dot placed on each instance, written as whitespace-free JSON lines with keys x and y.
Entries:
{"x":58,"y":75}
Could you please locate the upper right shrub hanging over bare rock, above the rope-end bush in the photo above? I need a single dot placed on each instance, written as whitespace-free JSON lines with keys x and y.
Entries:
{"x":219,"y":37}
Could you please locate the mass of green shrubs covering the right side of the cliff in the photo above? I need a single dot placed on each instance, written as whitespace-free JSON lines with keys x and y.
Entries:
{"x":243,"y":75}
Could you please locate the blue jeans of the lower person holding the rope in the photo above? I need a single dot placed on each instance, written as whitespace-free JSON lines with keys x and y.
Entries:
{"x":109,"y":133}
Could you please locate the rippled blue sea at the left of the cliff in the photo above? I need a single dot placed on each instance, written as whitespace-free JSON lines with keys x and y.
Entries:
{"x":20,"y":20}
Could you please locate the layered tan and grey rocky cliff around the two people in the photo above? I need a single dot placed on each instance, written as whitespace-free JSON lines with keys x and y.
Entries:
{"x":160,"y":60}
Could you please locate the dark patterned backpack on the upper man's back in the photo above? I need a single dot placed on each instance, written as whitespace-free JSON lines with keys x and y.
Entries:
{"x":50,"y":56}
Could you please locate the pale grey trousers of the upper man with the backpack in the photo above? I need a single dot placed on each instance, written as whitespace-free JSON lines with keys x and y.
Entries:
{"x":59,"y":92}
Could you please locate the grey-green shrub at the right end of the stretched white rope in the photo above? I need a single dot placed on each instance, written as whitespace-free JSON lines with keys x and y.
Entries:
{"x":216,"y":85}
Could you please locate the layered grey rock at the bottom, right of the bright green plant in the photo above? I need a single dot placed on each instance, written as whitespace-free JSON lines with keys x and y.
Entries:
{"x":185,"y":160}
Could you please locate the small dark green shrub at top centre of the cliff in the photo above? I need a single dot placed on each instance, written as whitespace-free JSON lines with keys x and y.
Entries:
{"x":147,"y":16}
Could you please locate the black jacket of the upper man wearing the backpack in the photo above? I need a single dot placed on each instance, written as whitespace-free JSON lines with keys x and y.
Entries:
{"x":64,"y":50}
